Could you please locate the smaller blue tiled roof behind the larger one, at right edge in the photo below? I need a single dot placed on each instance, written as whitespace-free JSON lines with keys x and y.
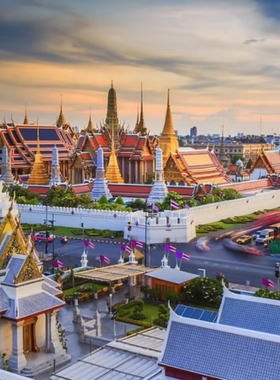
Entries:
{"x":251,"y":315}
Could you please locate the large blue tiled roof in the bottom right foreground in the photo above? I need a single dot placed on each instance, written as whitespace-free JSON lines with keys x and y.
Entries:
{"x":220,"y":354}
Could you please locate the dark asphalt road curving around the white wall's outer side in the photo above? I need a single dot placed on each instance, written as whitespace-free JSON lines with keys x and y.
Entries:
{"x":238,"y":267}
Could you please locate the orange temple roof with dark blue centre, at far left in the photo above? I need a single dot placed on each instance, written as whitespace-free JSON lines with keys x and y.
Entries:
{"x":21,"y":140}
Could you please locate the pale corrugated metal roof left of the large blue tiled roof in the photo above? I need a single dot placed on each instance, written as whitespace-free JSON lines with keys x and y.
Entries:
{"x":131,"y":358}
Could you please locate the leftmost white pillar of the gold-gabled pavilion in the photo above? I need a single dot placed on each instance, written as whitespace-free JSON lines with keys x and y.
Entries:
{"x":17,"y":359}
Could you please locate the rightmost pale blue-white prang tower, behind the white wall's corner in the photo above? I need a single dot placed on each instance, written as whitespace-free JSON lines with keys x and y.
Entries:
{"x":159,"y":189}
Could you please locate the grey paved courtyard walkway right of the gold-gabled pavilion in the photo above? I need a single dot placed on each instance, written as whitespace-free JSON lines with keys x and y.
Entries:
{"x":88,"y":309}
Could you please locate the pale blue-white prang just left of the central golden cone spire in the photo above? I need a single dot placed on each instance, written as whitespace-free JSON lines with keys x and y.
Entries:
{"x":100,"y":186}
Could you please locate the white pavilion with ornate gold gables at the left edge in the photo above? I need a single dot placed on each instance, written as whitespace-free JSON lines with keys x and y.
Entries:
{"x":29,"y":301}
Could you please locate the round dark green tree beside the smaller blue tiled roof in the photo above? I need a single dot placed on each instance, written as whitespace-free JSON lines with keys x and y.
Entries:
{"x":204,"y":291}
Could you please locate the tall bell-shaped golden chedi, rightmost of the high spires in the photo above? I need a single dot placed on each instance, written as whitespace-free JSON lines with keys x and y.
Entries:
{"x":168,"y":141}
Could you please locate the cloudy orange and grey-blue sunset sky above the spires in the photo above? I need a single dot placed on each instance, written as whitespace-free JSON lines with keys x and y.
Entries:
{"x":219,"y":58}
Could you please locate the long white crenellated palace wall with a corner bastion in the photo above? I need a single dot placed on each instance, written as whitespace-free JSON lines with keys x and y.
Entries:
{"x":177,"y":225}
